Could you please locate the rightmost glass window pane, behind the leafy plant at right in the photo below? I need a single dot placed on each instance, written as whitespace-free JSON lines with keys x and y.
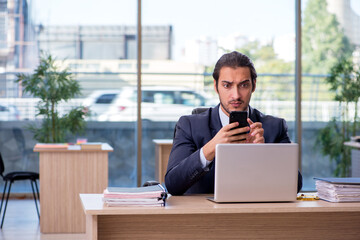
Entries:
{"x":330,"y":32}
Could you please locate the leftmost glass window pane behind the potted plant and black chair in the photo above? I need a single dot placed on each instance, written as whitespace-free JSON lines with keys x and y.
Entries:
{"x":96,"y":41}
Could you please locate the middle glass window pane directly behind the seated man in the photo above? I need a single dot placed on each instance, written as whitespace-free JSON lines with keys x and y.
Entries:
{"x":199,"y":33}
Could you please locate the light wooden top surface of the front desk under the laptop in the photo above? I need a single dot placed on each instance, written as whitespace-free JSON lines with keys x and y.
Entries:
{"x":198,"y":204}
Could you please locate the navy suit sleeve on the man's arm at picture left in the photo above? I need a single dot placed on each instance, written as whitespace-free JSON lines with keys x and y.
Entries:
{"x":184,"y":166}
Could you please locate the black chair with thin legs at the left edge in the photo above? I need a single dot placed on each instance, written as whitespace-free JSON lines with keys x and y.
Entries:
{"x":17,"y":176}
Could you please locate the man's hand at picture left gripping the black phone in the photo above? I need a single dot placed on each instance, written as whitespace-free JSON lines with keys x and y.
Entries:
{"x":227,"y":134}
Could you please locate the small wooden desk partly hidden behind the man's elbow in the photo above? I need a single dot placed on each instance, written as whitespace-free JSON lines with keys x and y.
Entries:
{"x":162,"y":153}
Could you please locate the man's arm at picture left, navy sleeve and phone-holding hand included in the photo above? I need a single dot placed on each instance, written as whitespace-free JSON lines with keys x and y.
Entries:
{"x":184,"y":166}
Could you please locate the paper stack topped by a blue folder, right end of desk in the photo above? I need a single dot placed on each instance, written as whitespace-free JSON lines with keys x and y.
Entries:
{"x":338,"y":189}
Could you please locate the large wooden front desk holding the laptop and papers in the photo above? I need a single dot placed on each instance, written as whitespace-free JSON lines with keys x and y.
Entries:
{"x":195,"y":217}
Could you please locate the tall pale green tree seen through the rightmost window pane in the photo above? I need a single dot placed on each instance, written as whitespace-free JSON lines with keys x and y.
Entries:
{"x":323,"y":43}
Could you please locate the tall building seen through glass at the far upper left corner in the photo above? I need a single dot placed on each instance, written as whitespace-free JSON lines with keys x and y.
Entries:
{"x":17,"y":45}
